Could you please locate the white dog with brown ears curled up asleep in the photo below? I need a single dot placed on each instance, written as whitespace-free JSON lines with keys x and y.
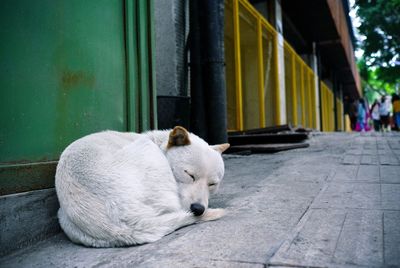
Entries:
{"x":118,"y":189}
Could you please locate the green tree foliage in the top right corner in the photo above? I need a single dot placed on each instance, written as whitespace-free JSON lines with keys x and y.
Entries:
{"x":380,"y":24}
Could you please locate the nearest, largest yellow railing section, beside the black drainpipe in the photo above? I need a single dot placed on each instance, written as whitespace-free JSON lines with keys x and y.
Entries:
{"x":251,"y":68}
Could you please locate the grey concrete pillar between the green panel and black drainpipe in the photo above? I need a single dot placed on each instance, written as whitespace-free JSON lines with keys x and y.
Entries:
{"x":171,"y":72}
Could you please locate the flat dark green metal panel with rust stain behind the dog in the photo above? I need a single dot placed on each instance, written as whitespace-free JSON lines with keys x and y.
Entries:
{"x":62,"y":74}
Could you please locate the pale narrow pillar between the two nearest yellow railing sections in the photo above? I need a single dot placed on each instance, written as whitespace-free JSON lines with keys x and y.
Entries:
{"x":281,"y":63}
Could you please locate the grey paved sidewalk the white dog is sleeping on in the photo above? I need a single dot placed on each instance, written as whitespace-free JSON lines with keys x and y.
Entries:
{"x":334,"y":204}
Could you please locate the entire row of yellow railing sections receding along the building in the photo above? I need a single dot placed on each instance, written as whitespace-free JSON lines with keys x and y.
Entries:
{"x":253,"y":98}
